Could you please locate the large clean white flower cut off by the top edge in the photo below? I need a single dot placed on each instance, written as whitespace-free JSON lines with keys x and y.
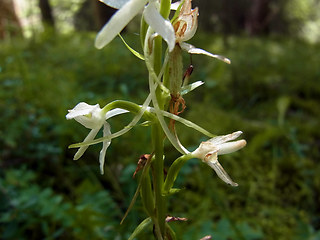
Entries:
{"x":127,"y":11}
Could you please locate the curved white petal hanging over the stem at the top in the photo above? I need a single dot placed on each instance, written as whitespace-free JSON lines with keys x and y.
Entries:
{"x":159,"y":24}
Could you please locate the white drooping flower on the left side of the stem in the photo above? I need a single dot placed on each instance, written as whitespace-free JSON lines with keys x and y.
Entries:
{"x":94,"y":118}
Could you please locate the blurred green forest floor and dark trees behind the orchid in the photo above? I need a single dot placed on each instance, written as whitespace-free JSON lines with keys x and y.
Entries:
{"x":271,"y":92}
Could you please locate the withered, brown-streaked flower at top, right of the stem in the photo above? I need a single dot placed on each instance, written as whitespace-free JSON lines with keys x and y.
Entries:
{"x":185,"y":27}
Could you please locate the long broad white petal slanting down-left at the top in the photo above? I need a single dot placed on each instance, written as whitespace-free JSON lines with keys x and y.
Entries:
{"x":118,"y":21}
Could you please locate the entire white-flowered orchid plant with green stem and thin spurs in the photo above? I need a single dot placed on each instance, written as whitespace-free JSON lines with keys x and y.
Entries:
{"x":168,"y":83}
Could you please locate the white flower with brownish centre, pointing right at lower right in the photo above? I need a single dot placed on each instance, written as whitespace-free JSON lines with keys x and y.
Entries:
{"x":208,"y":152}
